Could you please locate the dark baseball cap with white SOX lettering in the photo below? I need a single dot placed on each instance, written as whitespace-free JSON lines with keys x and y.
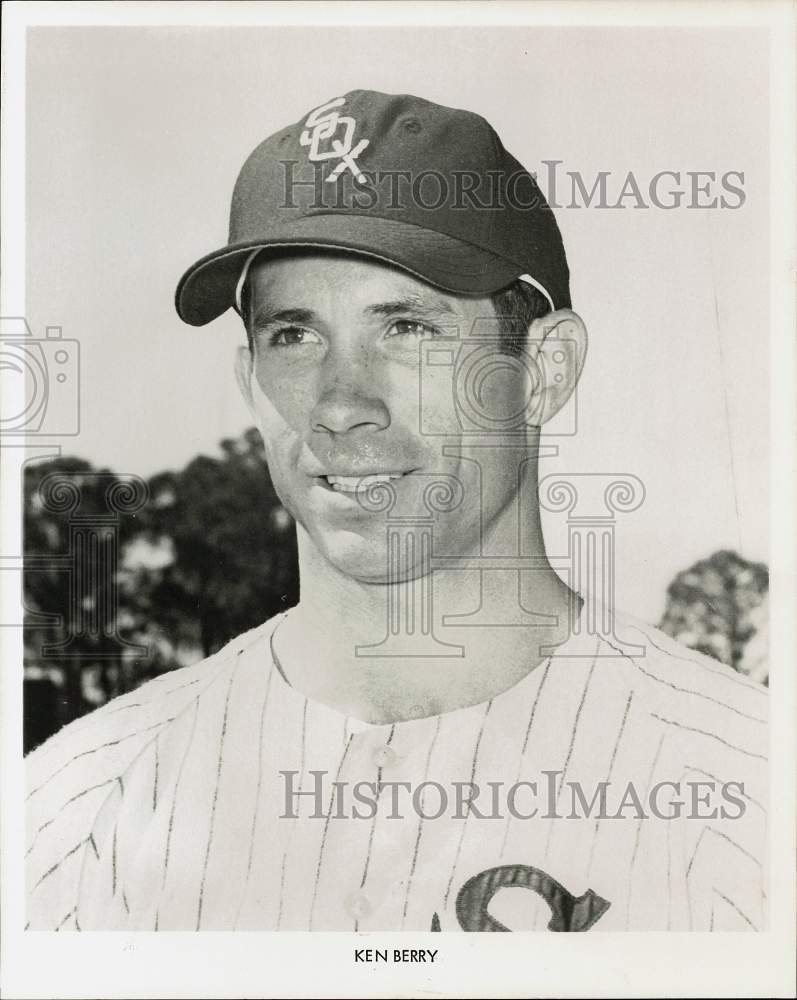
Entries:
{"x":426,"y":188}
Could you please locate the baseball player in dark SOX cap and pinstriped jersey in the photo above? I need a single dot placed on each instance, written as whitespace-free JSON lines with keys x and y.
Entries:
{"x":421,"y":743}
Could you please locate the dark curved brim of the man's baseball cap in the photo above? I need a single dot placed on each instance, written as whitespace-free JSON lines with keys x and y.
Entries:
{"x":207,"y":289}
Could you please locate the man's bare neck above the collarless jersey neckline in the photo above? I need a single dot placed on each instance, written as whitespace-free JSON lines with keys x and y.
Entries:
{"x":387,"y":651}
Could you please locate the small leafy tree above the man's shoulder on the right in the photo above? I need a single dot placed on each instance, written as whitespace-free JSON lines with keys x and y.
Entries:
{"x":719,"y":606}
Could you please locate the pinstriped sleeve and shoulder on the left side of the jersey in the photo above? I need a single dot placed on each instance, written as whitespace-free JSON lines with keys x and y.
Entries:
{"x":75,"y":775}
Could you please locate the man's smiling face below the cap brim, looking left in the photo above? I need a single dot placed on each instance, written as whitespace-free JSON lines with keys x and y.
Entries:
{"x":336,"y":385}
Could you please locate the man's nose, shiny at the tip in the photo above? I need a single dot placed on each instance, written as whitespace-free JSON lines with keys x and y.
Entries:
{"x":349,"y":398}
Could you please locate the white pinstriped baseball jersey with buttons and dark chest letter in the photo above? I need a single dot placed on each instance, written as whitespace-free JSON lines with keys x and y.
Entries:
{"x":217,"y":797}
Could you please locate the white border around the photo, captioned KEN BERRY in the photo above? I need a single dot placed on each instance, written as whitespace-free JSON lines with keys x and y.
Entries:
{"x":320,"y":964}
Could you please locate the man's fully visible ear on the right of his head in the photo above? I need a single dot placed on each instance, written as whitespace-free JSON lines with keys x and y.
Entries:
{"x":557,"y":344}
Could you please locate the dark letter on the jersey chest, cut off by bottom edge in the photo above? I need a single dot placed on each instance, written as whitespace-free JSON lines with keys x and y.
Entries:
{"x":568,"y":912}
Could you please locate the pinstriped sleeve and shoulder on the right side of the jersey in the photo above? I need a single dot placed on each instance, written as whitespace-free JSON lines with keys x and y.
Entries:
{"x":709,"y":725}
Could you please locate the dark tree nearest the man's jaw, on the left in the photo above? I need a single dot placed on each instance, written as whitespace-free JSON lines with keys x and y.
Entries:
{"x":234,"y":560}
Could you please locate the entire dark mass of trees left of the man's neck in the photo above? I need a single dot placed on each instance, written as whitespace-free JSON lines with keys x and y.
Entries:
{"x":209,"y":555}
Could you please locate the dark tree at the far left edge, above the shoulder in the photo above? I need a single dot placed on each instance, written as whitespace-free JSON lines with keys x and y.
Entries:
{"x":76,"y":655}
